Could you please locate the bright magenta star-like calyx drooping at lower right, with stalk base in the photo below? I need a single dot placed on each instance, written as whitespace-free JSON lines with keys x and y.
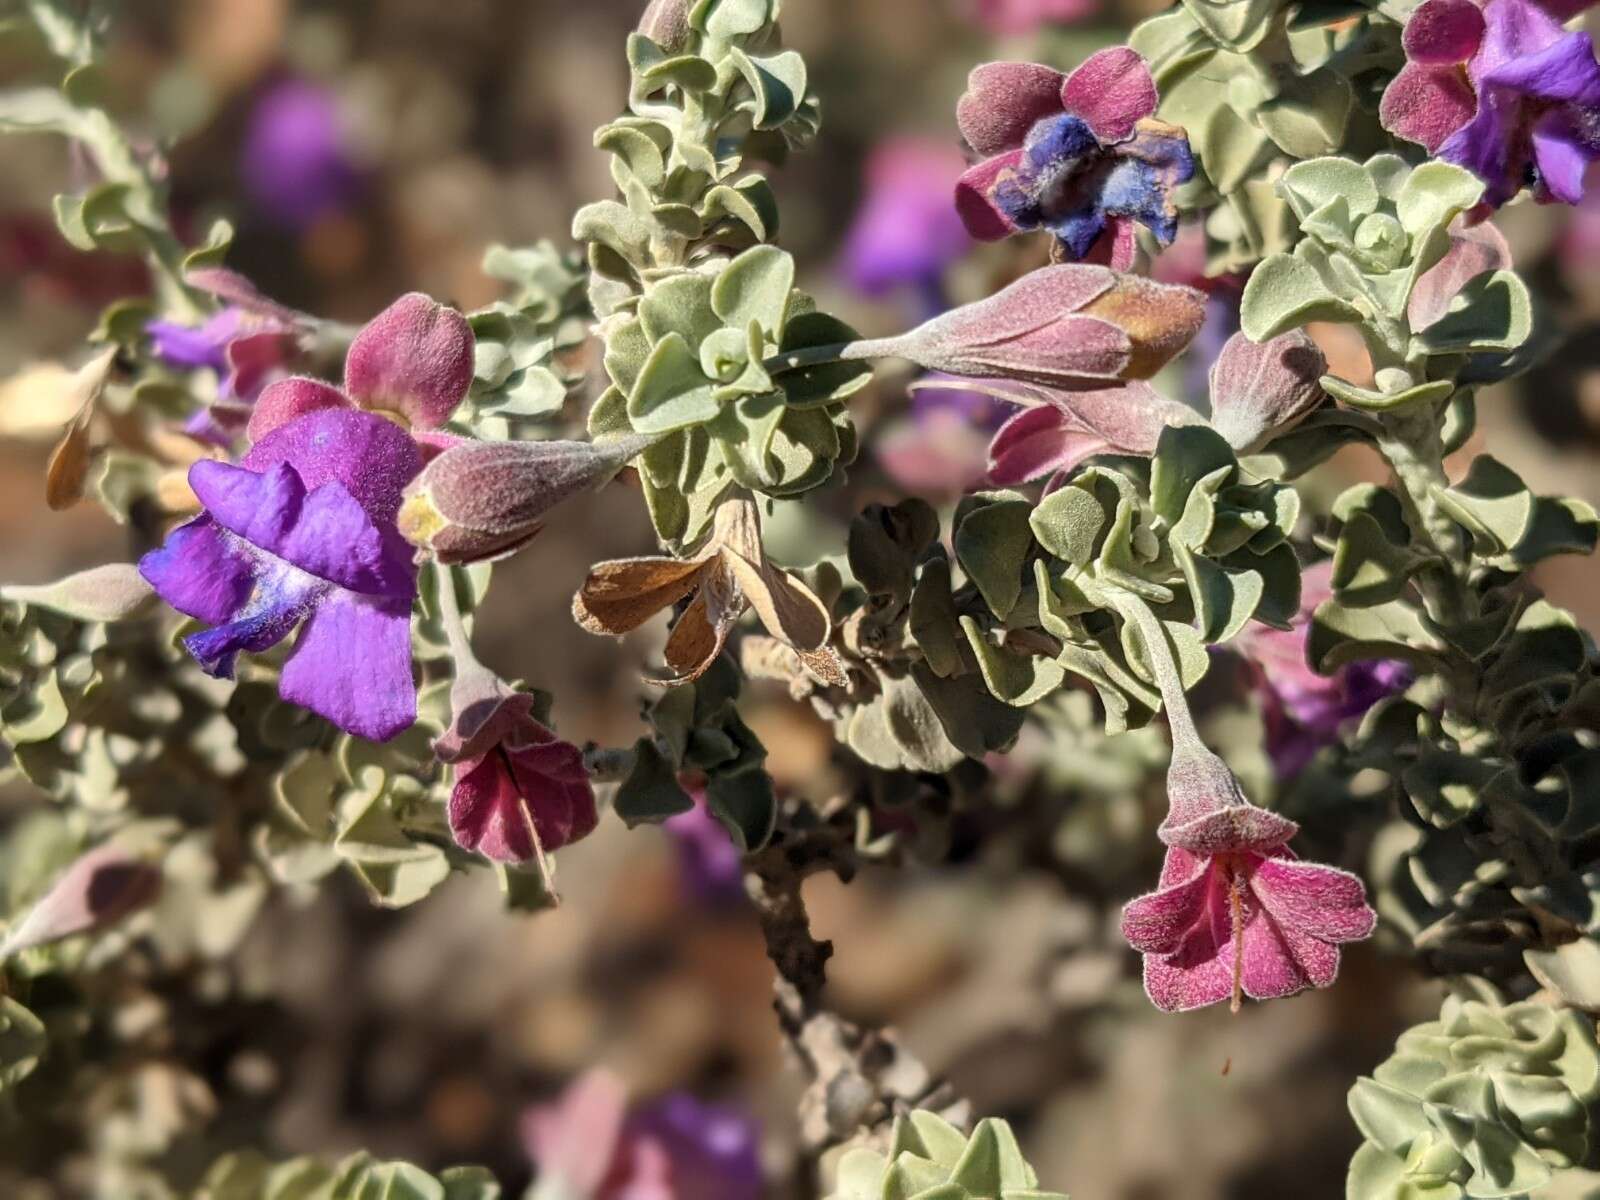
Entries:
{"x":1236,"y":913}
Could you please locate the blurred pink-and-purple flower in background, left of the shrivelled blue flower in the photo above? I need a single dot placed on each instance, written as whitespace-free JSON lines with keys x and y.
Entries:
{"x":906,"y":233}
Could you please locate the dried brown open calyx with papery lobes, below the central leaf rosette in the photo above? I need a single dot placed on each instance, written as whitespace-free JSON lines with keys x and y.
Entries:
{"x":730,"y":575}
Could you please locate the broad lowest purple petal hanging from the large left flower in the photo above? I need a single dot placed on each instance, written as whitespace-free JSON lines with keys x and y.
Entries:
{"x":353,"y":665}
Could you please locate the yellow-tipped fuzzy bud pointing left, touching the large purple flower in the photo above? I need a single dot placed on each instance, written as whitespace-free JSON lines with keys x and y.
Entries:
{"x":486,"y":500}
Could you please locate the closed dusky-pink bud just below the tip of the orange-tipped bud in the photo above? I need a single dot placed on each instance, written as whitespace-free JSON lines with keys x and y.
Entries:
{"x":1262,"y":391}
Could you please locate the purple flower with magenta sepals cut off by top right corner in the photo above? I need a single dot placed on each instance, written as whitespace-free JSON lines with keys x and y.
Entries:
{"x":1503,"y":90}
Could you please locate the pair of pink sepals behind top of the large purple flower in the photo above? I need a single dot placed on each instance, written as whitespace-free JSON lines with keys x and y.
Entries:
{"x":412,"y":362}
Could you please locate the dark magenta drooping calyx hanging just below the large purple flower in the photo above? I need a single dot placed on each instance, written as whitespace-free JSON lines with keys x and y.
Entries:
{"x":521,"y":793}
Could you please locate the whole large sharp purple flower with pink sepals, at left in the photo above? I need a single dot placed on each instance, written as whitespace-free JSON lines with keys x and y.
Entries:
{"x":303,"y":534}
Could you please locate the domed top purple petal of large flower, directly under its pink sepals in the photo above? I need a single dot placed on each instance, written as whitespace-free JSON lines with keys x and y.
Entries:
{"x":370,"y":457}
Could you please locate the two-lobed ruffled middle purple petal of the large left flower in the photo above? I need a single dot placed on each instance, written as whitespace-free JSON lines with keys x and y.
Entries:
{"x":324,"y":534}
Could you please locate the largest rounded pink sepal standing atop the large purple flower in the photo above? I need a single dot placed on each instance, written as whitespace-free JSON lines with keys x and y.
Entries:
{"x":415,"y":359}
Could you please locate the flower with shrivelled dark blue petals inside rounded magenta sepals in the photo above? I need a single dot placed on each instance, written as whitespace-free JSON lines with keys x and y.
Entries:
{"x":1081,"y":156}
